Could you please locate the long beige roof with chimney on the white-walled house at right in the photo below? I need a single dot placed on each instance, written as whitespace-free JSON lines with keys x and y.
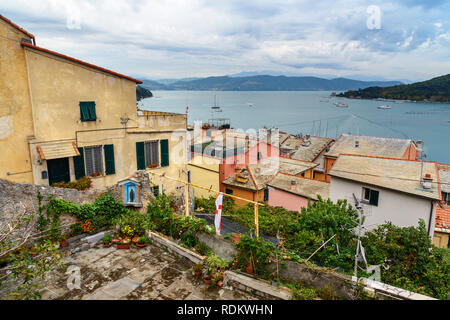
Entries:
{"x":395,"y":174}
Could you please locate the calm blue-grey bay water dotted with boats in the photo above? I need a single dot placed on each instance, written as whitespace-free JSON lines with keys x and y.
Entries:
{"x":308,"y":112}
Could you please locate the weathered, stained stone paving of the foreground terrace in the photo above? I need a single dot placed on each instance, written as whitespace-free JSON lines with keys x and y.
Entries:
{"x":135,"y":274}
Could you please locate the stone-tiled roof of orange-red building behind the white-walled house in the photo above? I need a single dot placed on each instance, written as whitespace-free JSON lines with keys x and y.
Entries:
{"x":369,"y":146}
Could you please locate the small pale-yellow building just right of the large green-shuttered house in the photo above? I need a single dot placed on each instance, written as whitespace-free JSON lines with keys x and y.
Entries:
{"x":205,"y":172}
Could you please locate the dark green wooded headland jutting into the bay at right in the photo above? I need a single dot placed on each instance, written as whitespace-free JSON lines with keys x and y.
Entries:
{"x":434,"y":90}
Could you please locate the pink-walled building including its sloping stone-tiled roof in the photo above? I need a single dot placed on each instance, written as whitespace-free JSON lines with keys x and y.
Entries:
{"x":293,"y":192}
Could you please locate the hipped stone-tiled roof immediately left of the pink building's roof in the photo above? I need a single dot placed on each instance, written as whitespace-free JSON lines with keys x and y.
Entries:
{"x":258,"y":175}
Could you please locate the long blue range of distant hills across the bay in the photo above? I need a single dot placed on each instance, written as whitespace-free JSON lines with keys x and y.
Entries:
{"x":268,"y":83}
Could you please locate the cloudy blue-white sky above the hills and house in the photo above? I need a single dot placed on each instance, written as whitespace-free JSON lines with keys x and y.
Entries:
{"x":404,"y":39}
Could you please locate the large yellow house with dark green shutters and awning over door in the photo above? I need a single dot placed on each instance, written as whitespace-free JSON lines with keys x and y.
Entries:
{"x":62,"y":118}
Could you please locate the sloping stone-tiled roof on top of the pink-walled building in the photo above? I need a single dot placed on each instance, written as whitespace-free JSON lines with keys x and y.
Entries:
{"x":304,"y":187}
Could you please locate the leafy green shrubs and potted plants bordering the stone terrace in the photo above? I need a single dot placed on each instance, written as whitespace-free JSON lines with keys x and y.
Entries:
{"x":407,"y":256}
